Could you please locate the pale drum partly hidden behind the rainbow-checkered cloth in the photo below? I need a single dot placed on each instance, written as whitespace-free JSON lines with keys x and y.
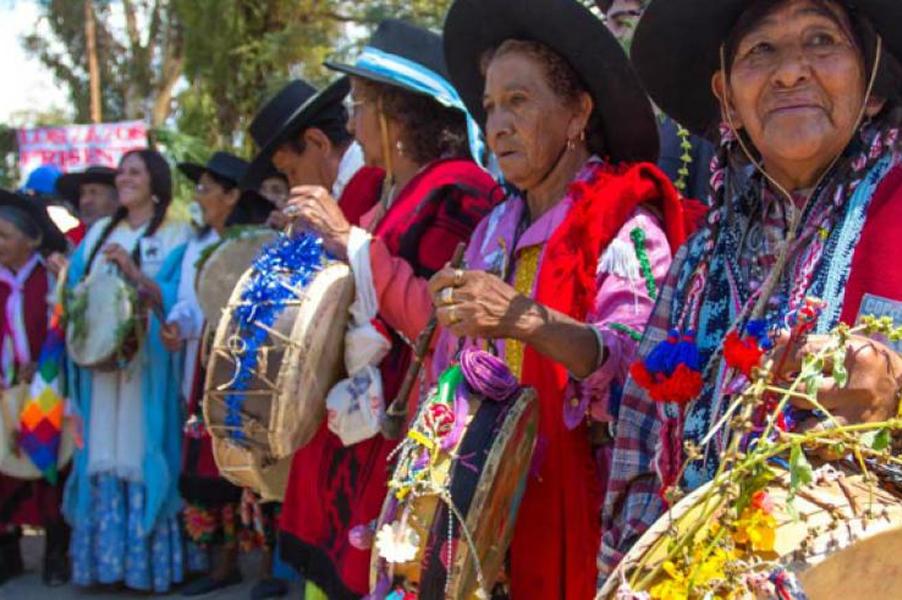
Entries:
{"x":17,"y":464}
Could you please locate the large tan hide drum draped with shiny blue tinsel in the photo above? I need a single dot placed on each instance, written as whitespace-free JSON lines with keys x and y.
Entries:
{"x":276,"y":353}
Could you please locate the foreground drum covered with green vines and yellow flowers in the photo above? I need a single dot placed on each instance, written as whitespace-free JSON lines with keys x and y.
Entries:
{"x":790,"y":513}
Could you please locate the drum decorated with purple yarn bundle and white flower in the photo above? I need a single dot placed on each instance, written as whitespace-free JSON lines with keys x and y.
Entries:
{"x":453,"y":498}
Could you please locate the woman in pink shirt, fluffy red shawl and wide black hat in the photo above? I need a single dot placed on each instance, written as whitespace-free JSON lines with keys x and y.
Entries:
{"x":561,"y":277}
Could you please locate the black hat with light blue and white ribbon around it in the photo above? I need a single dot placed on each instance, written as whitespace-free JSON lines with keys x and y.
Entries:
{"x":402,"y":39}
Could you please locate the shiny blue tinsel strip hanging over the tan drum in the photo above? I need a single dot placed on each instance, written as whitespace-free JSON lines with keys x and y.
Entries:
{"x":286,"y":261}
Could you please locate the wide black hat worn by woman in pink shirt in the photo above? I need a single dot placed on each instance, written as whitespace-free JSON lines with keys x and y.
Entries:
{"x":624,"y":114}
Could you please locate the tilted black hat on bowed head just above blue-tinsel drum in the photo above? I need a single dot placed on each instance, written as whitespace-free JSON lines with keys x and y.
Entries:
{"x":295,"y":107}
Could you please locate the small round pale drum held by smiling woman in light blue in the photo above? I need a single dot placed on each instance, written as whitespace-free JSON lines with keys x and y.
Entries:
{"x":110,"y":307}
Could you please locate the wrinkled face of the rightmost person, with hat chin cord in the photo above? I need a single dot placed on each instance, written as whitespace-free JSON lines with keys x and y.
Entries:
{"x":797,"y":85}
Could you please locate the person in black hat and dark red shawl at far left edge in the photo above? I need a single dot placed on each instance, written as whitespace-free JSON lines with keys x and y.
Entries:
{"x":26,"y":235}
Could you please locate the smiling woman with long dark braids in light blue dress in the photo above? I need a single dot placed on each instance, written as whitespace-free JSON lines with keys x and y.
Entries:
{"x":122,"y":497}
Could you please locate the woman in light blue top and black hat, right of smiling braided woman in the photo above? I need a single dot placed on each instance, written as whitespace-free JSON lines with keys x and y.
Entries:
{"x":212,"y":511}
